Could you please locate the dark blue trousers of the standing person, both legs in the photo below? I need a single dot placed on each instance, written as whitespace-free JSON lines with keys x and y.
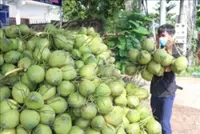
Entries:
{"x":162,"y":111}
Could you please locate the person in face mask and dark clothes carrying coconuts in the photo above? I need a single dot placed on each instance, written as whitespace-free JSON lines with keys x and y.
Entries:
{"x":163,"y":88}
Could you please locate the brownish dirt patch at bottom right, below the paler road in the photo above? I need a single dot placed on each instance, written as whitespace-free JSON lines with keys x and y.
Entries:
{"x":185,"y":120}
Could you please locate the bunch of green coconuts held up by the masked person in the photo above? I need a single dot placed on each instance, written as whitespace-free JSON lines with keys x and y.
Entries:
{"x":149,"y":61}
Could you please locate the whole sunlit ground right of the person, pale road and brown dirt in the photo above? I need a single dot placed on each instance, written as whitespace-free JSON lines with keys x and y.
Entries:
{"x":186,"y":111}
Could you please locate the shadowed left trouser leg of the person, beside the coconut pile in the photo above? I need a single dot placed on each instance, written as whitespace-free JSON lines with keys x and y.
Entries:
{"x":156,"y":107}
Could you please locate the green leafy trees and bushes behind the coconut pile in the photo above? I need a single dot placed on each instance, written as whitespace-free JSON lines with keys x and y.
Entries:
{"x":121,"y":30}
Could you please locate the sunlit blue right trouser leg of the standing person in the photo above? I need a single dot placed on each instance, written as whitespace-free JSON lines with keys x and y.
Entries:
{"x":166,"y":114}
